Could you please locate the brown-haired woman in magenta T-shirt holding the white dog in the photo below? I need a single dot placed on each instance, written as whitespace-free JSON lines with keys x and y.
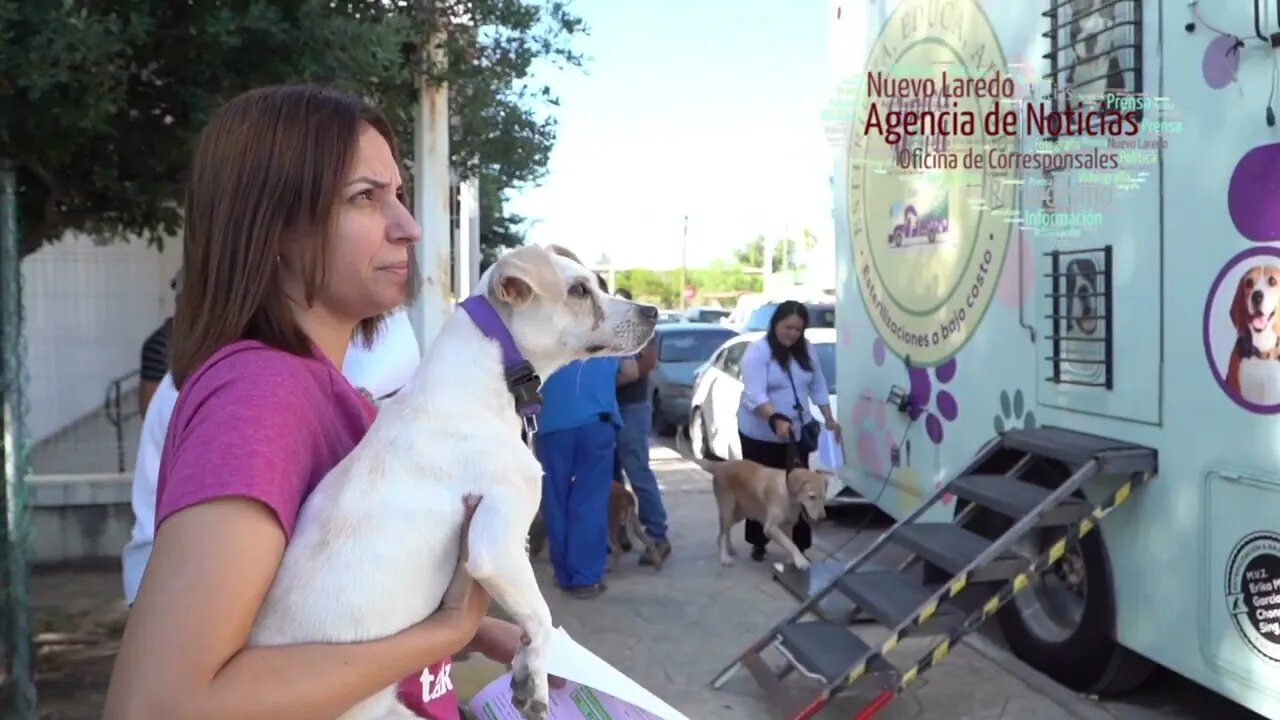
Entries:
{"x":296,"y":240}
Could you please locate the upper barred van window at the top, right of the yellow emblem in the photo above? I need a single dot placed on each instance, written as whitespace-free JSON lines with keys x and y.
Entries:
{"x":1095,"y":53}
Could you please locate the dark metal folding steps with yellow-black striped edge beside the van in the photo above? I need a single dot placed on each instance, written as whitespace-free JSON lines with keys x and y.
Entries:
{"x":828,"y":650}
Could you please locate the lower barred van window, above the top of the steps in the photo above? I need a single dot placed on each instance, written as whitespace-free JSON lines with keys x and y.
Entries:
{"x":1082,"y":317}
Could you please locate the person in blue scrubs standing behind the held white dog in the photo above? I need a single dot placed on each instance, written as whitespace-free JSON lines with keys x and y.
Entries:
{"x":578,"y":434}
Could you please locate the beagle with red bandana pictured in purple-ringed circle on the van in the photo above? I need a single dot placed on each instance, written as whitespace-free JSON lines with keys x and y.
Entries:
{"x":1258,"y":335}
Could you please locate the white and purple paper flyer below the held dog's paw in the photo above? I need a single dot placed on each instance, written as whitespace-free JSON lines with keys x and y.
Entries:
{"x":593,"y":691}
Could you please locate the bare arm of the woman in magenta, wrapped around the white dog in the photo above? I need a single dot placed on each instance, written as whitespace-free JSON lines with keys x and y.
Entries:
{"x":184,"y":651}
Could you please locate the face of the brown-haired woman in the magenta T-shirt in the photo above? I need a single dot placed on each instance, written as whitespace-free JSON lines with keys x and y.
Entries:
{"x":368,"y":253}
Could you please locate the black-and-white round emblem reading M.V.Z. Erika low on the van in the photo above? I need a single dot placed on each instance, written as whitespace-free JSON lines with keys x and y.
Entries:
{"x":1254,"y":593}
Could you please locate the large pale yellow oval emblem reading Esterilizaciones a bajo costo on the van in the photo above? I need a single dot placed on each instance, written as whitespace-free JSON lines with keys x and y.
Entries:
{"x":930,"y":231}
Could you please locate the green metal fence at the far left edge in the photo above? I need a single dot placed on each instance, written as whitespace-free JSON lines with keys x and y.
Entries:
{"x":17,"y":686}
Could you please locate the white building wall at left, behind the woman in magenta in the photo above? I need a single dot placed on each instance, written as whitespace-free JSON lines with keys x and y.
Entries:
{"x":89,"y":309}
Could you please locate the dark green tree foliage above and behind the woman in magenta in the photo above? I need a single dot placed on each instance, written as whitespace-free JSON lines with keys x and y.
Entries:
{"x":102,"y":101}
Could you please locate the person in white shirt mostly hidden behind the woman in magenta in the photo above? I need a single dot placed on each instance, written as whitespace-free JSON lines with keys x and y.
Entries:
{"x":381,"y":371}
